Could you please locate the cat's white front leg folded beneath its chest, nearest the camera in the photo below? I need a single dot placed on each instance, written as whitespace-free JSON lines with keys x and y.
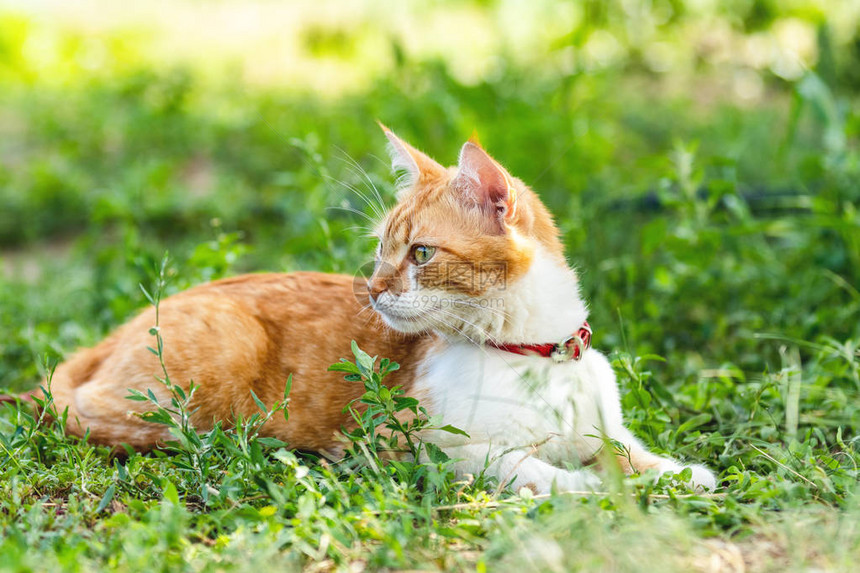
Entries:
{"x":520,"y":468}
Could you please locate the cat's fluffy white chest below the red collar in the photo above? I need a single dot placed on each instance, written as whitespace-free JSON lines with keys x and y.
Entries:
{"x":502,"y":399}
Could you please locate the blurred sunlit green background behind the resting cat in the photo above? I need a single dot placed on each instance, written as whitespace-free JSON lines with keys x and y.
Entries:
{"x":700,"y":156}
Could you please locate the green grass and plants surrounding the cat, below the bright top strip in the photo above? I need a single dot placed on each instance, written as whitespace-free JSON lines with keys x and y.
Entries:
{"x":718,"y":245}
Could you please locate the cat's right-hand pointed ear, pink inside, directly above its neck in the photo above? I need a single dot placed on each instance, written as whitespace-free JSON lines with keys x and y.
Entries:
{"x":481,"y":179}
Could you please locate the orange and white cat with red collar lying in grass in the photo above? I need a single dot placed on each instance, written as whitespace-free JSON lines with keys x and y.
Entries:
{"x":472,"y":296}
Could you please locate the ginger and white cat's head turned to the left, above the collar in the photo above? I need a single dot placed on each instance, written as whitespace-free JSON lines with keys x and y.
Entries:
{"x":456,"y":245}
